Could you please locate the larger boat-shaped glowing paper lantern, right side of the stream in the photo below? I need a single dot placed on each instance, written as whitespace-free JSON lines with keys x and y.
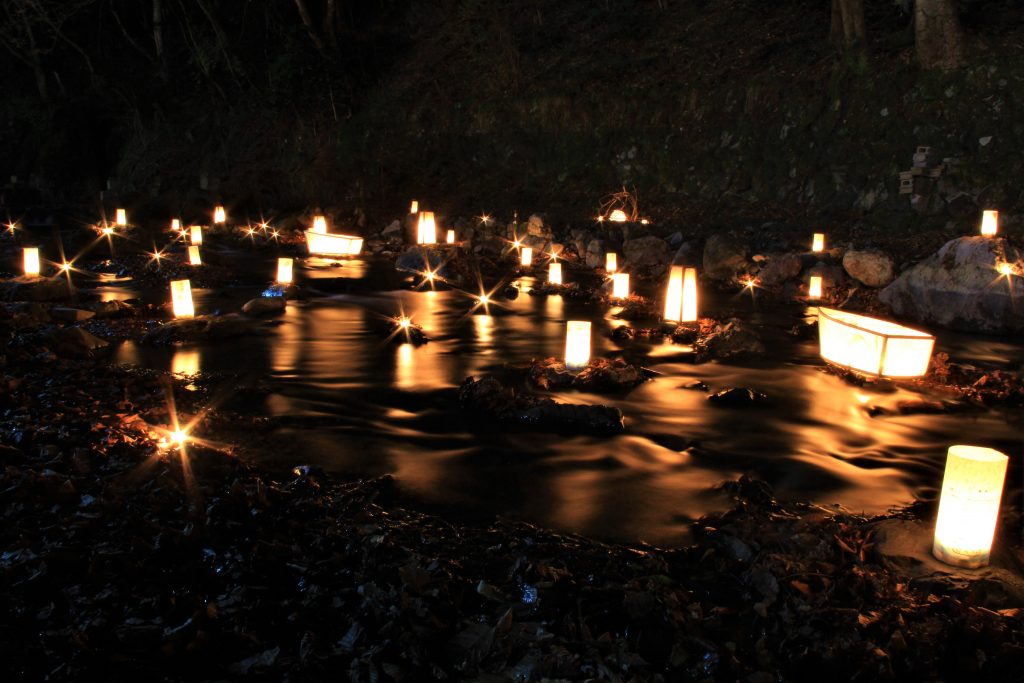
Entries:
{"x":873,"y":347}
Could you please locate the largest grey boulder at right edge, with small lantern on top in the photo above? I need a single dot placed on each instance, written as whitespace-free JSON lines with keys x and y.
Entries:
{"x":960,"y":288}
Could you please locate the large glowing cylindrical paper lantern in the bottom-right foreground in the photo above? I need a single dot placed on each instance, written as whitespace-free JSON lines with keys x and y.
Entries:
{"x":969,"y":505}
